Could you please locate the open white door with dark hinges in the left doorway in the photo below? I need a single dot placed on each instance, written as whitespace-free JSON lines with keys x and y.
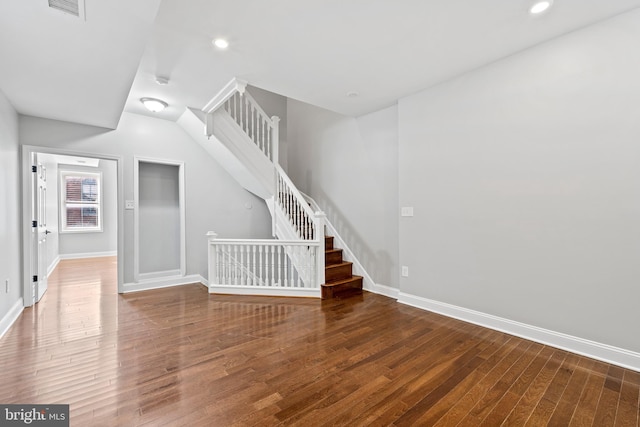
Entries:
{"x":39,"y":230}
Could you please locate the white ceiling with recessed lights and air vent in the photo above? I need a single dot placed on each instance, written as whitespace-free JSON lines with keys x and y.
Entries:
{"x":88,"y":71}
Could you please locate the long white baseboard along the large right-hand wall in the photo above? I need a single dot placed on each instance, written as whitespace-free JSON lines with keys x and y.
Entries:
{"x":606,"y":353}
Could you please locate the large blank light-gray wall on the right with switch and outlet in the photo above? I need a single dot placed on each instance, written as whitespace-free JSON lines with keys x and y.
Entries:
{"x":525,"y":178}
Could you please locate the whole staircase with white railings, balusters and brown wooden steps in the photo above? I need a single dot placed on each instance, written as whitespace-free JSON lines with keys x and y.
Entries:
{"x":244,"y":140}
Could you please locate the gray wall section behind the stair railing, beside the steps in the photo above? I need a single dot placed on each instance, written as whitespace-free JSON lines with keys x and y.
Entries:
{"x":350,"y":167}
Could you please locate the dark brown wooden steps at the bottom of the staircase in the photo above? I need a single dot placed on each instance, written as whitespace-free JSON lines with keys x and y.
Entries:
{"x":339,"y":278}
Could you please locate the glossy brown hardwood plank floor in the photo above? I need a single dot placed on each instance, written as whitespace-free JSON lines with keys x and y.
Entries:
{"x":178,"y":356}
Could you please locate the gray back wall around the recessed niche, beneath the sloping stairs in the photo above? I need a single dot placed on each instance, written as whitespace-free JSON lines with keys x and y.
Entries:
{"x":214,"y":201}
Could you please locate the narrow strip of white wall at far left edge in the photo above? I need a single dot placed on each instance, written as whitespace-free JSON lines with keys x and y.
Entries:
{"x":10,"y":222}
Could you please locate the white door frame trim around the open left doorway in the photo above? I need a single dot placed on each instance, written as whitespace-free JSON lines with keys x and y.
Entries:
{"x":28,"y":249}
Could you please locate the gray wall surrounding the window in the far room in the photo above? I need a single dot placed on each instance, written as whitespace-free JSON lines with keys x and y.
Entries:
{"x":106,"y":241}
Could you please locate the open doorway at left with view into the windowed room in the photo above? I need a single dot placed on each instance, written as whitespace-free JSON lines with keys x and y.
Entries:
{"x":70,"y":211}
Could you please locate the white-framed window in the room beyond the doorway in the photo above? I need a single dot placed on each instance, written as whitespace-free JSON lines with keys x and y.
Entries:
{"x":80,"y":201}
